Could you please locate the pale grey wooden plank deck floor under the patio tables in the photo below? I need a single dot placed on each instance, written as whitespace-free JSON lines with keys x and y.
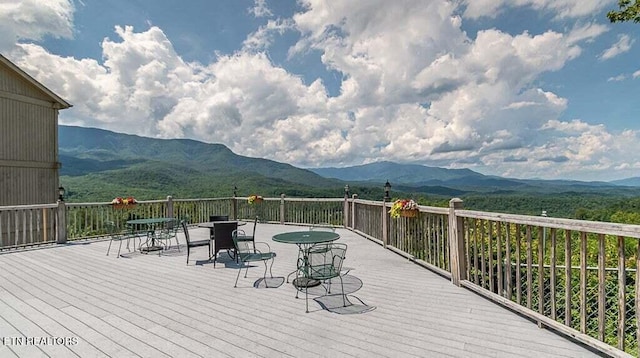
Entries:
{"x":156,"y":306}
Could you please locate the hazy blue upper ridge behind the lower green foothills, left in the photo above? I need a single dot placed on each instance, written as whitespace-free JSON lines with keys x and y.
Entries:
{"x":87,"y":150}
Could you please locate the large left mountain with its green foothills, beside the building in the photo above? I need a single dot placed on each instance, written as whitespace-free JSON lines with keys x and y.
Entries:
{"x":98,"y":165}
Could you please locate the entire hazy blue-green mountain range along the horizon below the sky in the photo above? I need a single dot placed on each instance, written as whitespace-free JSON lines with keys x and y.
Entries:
{"x":97,"y":163}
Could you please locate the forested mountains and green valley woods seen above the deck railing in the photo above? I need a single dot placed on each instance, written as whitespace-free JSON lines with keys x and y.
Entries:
{"x":98,"y":165}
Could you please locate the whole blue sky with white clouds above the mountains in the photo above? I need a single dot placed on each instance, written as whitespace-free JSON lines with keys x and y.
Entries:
{"x":516,"y":88}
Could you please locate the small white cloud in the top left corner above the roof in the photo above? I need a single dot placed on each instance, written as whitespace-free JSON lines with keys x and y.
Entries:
{"x":33,"y":20}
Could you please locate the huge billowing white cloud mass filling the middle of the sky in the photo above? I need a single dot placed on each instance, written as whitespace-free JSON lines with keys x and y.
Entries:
{"x":415,"y":88}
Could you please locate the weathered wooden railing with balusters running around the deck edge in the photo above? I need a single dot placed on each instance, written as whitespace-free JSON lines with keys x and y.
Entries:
{"x":577,"y":277}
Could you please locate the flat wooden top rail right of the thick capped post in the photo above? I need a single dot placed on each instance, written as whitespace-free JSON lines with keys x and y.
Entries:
{"x":596,"y":227}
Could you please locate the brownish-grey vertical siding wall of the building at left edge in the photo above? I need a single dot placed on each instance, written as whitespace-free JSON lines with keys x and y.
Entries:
{"x":28,"y":143}
